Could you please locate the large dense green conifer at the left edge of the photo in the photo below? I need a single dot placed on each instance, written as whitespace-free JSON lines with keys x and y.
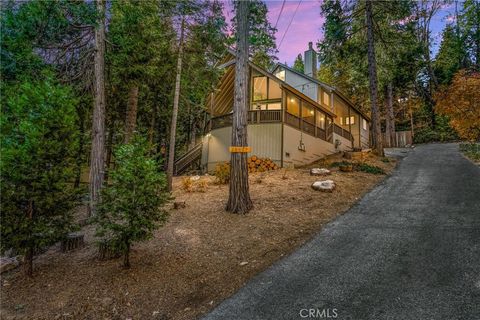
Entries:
{"x":38,"y":143}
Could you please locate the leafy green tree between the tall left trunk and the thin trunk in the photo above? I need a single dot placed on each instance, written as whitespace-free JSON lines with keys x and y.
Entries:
{"x":139,"y":40}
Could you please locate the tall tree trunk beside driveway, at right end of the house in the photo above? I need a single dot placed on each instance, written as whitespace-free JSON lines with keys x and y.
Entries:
{"x":372,"y":75}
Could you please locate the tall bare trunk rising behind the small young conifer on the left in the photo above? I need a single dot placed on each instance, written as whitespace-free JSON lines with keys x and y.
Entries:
{"x":97,"y":160}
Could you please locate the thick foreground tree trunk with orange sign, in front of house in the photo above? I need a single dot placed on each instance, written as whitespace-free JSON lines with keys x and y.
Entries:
{"x":239,"y":197}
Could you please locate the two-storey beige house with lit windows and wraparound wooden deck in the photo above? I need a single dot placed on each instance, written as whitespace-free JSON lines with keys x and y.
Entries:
{"x":293,"y":119}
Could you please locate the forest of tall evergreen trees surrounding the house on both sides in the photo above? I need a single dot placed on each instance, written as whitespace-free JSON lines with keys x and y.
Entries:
{"x":98,"y":98}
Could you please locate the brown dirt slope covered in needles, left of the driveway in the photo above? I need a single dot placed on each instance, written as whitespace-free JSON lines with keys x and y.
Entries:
{"x":202,"y":255}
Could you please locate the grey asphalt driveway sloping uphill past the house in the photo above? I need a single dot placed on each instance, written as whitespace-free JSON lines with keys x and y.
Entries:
{"x":410,"y":249}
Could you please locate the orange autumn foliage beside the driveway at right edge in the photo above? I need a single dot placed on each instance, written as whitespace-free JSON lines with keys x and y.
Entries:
{"x":460,"y":101}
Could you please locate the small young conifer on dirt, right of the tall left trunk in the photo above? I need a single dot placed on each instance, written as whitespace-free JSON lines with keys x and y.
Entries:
{"x":131,"y":206}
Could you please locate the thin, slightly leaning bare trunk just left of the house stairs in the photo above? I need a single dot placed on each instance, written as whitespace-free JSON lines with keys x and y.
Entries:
{"x":176,"y":98}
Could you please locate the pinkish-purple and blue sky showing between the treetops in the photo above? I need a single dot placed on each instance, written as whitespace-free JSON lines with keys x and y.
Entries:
{"x":306,"y":25}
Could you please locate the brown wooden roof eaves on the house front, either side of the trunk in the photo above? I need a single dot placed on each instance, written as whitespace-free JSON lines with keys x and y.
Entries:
{"x":224,"y":100}
